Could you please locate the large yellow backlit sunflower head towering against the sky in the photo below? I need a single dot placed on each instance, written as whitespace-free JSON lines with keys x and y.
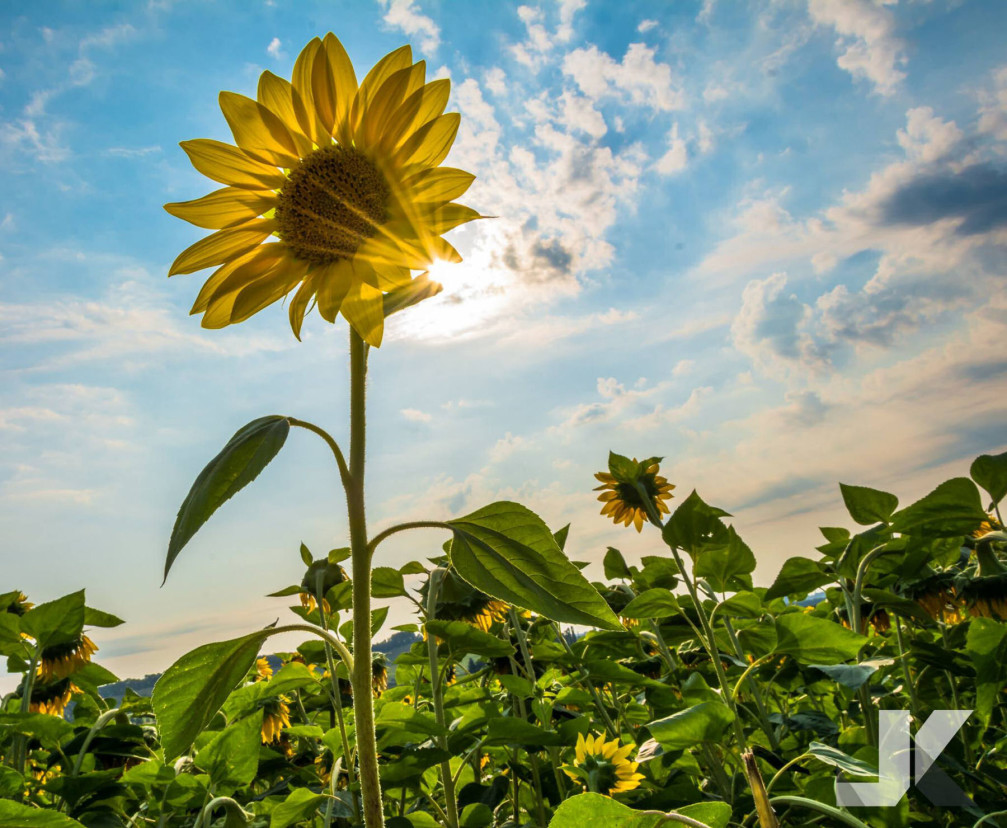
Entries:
{"x":335,"y":189}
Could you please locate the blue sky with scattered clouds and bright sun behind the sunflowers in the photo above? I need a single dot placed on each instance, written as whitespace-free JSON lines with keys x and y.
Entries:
{"x":764,"y":240}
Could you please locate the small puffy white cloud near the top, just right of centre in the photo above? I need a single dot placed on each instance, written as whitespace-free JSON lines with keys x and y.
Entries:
{"x":638,"y":79}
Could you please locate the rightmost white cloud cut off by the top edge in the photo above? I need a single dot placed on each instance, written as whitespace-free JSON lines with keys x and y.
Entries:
{"x":873,"y":52}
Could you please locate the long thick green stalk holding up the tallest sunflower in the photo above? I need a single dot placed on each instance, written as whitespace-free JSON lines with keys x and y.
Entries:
{"x":364,"y":709}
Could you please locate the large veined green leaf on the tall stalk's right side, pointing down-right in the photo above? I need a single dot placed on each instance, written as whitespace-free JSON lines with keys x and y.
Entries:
{"x":507,"y":551}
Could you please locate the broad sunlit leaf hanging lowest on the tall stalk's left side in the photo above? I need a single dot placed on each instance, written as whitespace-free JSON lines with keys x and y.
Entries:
{"x":191,"y":693}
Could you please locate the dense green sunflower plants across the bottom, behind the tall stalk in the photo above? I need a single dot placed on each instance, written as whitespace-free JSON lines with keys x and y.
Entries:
{"x":709,"y":703}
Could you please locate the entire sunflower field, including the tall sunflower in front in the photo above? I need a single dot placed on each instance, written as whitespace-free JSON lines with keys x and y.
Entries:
{"x":675,"y":693}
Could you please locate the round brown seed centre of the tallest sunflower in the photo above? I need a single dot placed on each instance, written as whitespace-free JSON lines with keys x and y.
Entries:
{"x":332,"y":203}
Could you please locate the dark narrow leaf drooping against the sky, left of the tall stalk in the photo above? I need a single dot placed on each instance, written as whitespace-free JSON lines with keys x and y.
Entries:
{"x":240,"y":462}
